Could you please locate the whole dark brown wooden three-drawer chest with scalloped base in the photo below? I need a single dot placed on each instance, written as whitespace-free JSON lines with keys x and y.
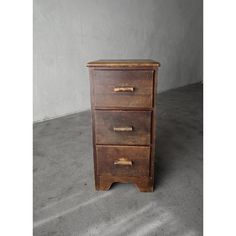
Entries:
{"x":123,"y":121}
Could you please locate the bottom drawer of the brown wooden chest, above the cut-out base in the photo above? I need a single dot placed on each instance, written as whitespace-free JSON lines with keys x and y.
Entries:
{"x":123,"y":161}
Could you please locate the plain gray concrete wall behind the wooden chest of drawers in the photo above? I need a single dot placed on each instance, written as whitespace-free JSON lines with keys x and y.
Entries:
{"x":69,"y":33}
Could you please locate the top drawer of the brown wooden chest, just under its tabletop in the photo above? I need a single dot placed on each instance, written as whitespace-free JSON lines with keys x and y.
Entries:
{"x":123,"y":88}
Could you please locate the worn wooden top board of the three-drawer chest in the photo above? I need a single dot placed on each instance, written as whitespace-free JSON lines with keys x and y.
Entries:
{"x":124,"y":63}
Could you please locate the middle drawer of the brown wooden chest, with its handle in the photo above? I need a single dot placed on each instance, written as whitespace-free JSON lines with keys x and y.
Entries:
{"x":123,"y":127}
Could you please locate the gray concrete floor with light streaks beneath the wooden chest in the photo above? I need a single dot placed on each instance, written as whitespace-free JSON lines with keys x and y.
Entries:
{"x":66,"y":203}
